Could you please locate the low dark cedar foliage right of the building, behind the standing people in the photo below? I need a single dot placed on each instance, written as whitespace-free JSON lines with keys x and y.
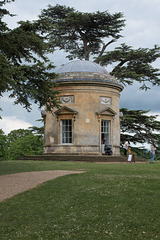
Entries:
{"x":140,"y":127}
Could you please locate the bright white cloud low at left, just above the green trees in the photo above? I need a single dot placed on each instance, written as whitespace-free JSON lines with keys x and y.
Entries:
{"x":10,"y":123}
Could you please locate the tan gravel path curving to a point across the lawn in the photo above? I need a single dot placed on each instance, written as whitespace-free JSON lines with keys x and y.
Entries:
{"x":13,"y":184}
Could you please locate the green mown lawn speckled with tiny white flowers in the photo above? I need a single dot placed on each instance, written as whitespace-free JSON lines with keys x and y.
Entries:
{"x":109,"y":201}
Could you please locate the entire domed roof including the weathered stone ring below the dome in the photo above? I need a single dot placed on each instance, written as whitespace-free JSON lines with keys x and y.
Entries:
{"x":85,"y":72}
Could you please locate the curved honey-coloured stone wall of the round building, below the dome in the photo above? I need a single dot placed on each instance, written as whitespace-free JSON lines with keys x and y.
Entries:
{"x":86,"y":111}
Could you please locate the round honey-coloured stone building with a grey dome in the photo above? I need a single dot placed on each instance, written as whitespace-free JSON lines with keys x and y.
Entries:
{"x":89,"y":113}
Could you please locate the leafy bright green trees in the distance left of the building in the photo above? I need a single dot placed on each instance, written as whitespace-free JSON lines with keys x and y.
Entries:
{"x":20,"y":143}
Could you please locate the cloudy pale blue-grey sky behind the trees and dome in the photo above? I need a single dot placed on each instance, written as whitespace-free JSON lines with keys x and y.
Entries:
{"x":142,"y":30}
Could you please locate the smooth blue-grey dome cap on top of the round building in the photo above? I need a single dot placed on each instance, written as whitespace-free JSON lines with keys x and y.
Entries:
{"x":82,"y":66}
